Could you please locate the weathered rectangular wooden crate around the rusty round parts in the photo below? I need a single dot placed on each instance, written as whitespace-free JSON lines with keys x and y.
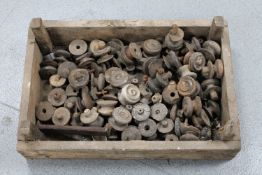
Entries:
{"x":43,"y":35}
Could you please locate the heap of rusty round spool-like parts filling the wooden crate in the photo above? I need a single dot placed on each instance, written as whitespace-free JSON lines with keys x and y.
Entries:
{"x":158,"y":89}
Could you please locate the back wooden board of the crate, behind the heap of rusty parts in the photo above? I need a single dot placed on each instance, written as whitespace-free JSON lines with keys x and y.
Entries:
{"x":63,"y":32}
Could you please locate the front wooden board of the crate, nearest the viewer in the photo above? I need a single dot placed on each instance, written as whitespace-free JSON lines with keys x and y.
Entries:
{"x":130,"y":149}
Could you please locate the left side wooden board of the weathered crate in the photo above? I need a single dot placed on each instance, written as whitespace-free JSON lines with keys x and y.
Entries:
{"x":30,"y":91}
